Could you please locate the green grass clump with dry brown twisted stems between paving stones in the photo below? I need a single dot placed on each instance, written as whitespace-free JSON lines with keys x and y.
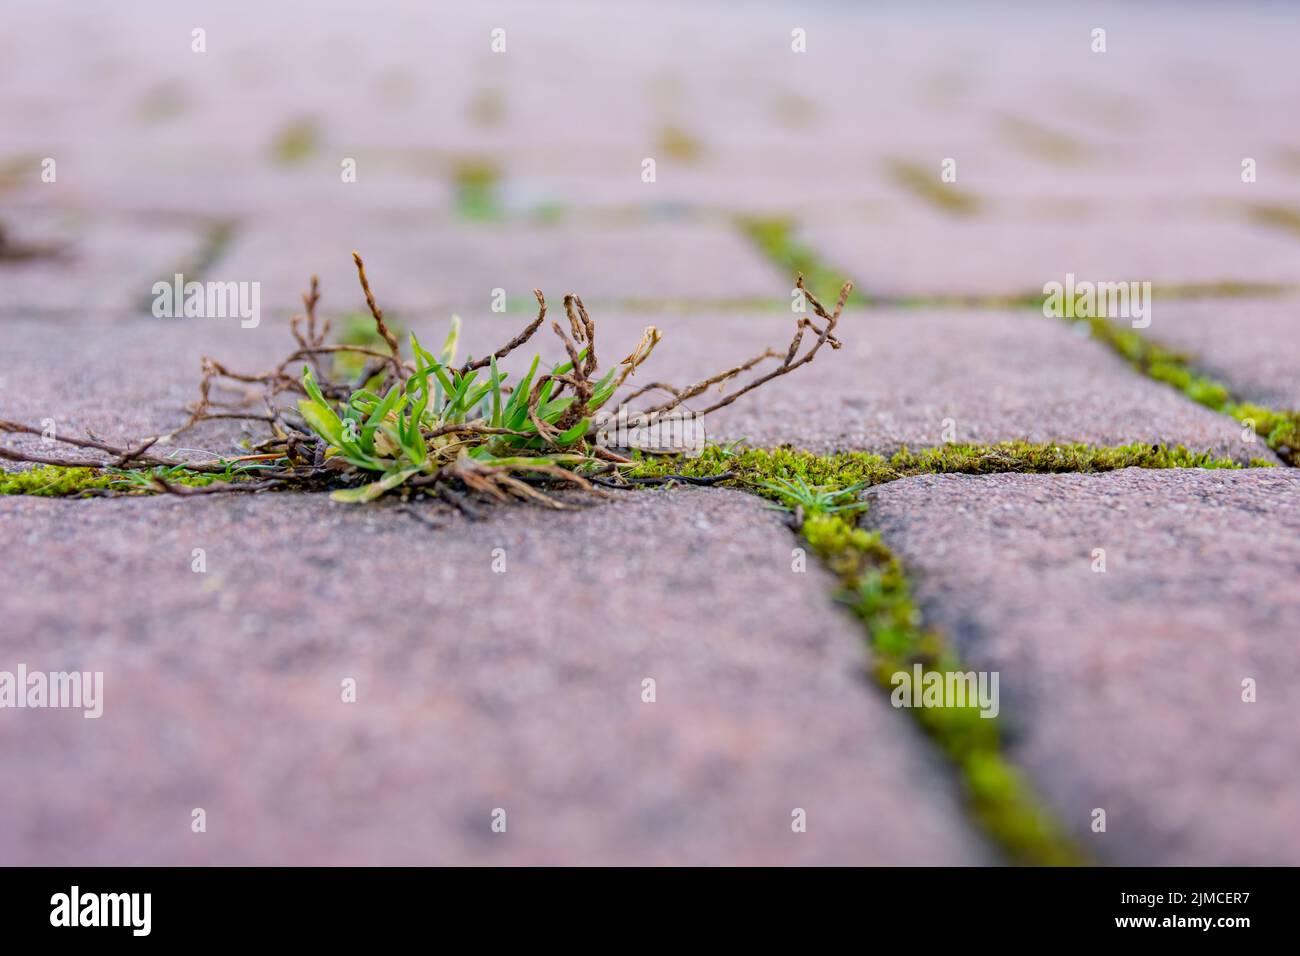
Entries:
{"x":432,"y":426}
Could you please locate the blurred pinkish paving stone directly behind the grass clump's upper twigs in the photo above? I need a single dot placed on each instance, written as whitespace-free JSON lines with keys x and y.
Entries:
{"x":414,"y":267}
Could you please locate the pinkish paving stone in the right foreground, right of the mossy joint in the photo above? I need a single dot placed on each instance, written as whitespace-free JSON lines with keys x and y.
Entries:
{"x":1125,"y":689}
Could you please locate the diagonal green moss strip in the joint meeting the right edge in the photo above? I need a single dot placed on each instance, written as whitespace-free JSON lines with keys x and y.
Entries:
{"x":1280,"y":429}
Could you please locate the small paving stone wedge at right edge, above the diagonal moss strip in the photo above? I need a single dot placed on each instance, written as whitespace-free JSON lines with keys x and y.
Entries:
{"x":1253,"y":347}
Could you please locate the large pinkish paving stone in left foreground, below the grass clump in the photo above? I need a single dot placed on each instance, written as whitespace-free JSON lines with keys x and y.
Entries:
{"x":475,"y":690}
